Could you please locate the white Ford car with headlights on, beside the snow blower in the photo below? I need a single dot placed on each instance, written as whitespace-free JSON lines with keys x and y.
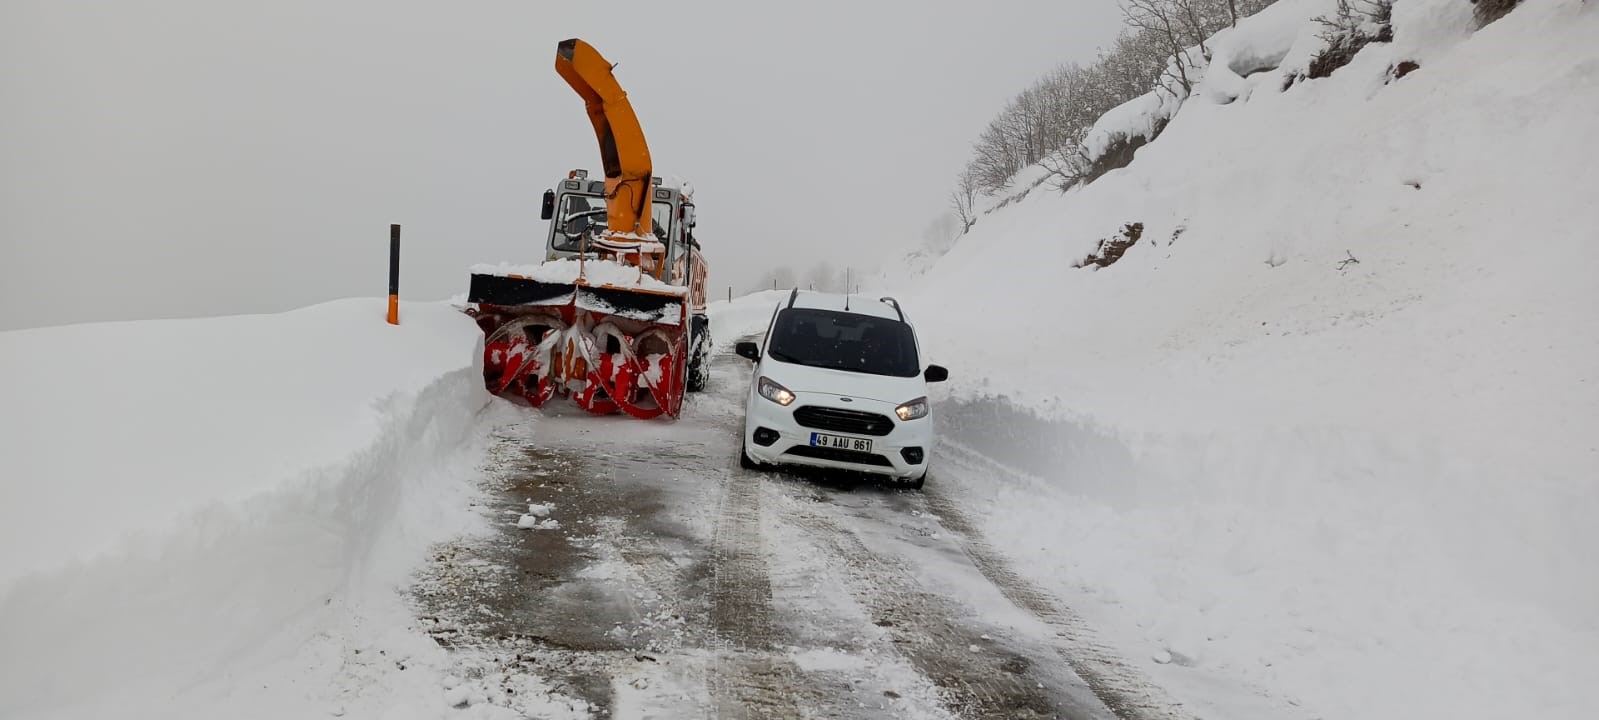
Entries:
{"x":839,"y":383}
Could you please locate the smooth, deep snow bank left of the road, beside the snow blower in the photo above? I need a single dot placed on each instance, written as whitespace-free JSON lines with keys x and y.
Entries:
{"x":196,"y":510}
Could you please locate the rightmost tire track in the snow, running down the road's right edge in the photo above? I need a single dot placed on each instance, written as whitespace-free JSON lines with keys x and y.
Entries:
{"x":1112,"y":679}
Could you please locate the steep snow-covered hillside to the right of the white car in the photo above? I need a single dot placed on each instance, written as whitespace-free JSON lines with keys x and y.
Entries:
{"x":1331,"y":426}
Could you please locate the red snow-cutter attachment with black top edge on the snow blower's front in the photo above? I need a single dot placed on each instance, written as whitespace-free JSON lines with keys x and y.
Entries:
{"x":608,"y":348}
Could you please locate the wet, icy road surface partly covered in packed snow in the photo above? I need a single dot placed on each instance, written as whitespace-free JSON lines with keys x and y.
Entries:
{"x":637,"y":572}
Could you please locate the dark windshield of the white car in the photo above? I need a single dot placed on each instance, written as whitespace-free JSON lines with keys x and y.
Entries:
{"x":845,"y":342}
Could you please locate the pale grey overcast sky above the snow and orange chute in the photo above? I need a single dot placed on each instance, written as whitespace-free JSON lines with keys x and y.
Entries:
{"x":207,"y":158}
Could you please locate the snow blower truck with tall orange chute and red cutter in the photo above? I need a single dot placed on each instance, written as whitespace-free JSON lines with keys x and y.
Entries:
{"x":615,"y":316}
